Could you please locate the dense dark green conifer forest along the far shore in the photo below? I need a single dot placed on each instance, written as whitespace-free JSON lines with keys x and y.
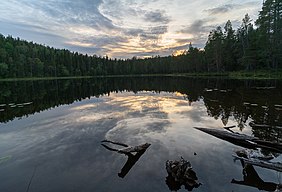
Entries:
{"x":247,"y":48}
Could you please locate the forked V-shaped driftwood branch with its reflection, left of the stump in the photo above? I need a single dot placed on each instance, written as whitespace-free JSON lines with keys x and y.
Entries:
{"x":128,"y":151}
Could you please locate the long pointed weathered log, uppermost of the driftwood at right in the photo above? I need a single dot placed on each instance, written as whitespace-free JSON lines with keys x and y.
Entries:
{"x":243,"y":140}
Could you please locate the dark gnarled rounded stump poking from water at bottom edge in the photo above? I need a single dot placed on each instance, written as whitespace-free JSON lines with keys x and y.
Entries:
{"x":181,"y":173}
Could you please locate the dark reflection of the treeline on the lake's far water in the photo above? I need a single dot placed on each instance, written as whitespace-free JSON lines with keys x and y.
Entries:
{"x":223,"y":98}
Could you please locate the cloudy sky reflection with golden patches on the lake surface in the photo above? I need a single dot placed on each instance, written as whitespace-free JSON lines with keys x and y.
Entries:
{"x":63,"y":144}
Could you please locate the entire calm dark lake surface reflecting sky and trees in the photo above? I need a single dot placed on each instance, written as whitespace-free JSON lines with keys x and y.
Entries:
{"x":51,"y":132}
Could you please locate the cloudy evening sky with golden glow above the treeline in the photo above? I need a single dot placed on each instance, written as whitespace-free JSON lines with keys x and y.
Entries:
{"x":121,"y":28}
